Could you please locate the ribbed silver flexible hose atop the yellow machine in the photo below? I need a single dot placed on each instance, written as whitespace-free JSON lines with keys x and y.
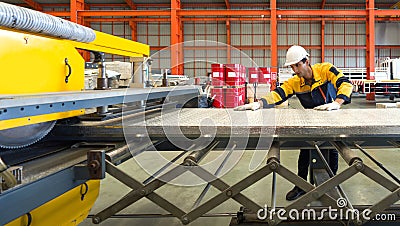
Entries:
{"x":24,"y":19}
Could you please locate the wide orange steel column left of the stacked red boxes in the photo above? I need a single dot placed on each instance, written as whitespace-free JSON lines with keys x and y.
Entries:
{"x":176,"y":38}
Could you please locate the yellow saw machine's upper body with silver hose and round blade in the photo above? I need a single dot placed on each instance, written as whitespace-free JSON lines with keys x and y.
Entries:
{"x":39,"y":55}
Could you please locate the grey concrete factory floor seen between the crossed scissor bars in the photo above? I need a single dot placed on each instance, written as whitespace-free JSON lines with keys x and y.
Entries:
{"x":359,"y":189}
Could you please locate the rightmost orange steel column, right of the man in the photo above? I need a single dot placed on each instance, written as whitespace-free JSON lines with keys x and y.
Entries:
{"x":370,"y":23}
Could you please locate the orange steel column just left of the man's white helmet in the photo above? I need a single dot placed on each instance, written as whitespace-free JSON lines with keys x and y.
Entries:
{"x":274,"y":42}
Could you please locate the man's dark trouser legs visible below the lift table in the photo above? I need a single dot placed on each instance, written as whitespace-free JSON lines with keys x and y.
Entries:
{"x":304,"y":162}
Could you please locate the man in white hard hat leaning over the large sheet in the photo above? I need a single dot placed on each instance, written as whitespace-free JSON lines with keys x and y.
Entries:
{"x":320,"y":86}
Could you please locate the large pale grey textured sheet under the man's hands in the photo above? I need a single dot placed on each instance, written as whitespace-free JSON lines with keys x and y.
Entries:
{"x":279,"y":122}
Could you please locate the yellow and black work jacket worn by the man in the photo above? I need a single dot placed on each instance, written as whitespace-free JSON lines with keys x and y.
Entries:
{"x":328,"y":84}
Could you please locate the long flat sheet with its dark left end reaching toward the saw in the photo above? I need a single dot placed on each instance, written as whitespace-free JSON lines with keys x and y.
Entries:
{"x":283,"y":124}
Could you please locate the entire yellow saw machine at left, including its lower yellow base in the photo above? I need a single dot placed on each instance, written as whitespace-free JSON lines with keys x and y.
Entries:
{"x":39,"y":56}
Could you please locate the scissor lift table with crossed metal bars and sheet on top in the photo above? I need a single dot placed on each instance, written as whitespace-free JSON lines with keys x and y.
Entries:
{"x":291,"y":126}
